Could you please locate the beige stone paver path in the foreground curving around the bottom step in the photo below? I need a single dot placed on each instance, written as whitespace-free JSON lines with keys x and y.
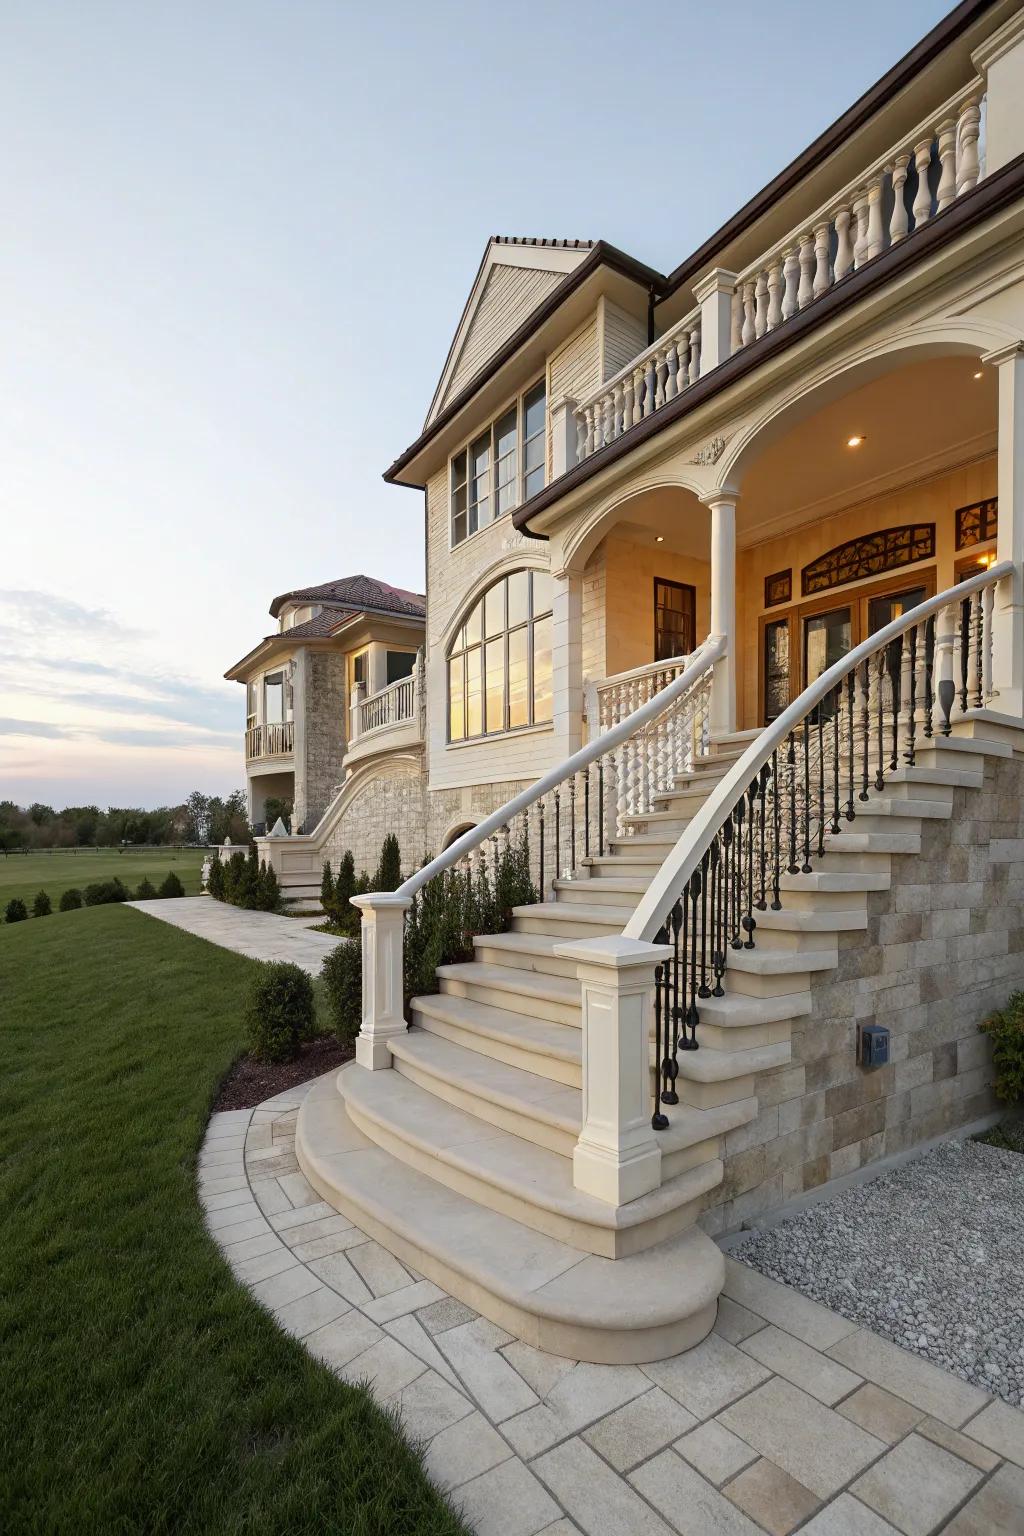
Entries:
{"x":788,"y":1417}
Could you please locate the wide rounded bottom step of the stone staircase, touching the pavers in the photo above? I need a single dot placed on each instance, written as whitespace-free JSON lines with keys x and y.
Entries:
{"x":612,"y":1313}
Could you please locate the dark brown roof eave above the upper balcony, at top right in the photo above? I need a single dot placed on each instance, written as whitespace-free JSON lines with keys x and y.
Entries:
{"x":865,"y":108}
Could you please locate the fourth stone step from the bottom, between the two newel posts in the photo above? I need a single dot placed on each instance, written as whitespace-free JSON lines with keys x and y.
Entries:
{"x":533,"y":1045}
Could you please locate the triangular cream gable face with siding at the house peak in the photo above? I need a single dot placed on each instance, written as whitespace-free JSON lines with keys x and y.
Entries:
{"x":515,"y":276}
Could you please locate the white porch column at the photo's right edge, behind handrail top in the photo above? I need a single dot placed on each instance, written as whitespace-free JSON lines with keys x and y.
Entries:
{"x":1008,"y":620}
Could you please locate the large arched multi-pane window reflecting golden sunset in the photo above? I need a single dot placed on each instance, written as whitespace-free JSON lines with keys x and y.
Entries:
{"x":500,"y":664}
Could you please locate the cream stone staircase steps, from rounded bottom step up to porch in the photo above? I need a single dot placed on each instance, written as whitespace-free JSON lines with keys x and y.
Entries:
{"x":461,"y":1159}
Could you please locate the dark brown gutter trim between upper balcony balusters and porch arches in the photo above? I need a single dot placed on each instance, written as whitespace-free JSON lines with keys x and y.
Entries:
{"x":985,"y":200}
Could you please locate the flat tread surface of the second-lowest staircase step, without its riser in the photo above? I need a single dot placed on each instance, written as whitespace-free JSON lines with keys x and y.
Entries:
{"x":500,"y":1160}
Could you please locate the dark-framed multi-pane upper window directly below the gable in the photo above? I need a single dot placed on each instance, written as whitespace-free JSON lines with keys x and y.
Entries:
{"x":501,"y":468}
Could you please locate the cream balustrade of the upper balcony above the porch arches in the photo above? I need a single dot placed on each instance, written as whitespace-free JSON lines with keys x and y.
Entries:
{"x":890,"y":202}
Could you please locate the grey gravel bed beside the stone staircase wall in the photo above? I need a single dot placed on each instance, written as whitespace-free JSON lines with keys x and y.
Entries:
{"x":931,"y":1256}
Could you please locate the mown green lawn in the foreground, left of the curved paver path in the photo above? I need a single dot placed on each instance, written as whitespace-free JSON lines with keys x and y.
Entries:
{"x":144,"y":1389}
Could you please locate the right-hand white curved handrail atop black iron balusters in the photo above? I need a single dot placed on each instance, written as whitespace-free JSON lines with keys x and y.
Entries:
{"x":701,"y":832}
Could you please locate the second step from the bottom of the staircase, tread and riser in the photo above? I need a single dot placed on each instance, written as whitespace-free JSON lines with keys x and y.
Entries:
{"x":504,"y":1173}
